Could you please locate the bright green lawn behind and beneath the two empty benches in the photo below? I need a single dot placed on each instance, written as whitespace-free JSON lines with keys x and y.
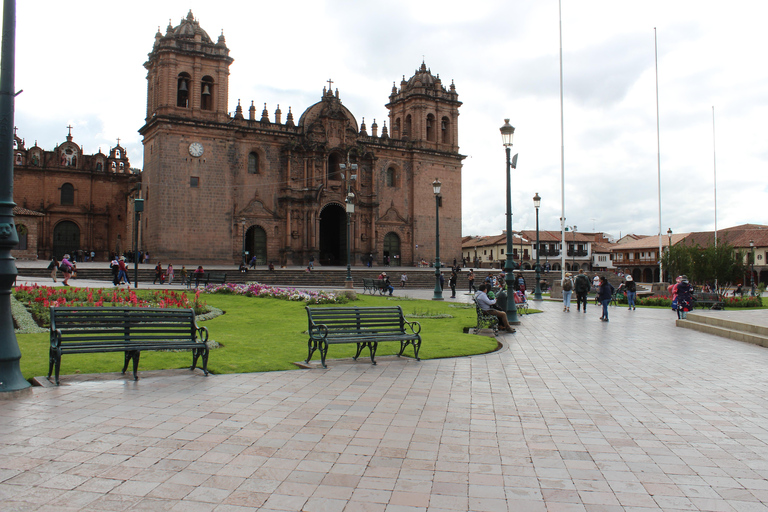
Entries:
{"x":264,"y":334}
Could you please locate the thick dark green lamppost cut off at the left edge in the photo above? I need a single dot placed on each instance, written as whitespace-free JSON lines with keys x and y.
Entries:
{"x":11,"y":378}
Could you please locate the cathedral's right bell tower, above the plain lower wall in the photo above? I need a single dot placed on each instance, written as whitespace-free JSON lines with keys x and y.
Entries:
{"x":425,"y":112}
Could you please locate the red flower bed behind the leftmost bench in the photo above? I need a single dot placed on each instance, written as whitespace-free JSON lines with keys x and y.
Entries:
{"x":39,"y":299}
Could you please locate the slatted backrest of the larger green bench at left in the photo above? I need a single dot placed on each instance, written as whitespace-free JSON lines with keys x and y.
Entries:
{"x":91,"y":324}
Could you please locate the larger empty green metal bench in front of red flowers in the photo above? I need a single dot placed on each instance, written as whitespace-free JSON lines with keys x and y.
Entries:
{"x":88,"y":330}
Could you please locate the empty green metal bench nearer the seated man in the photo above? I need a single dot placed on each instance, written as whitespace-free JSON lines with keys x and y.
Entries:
{"x":364,"y":326}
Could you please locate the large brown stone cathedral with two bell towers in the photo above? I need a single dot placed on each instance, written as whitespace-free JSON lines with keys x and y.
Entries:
{"x":218,"y":185}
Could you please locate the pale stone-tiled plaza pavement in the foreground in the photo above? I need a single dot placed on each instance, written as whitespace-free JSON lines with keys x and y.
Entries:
{"x":573,"y":414}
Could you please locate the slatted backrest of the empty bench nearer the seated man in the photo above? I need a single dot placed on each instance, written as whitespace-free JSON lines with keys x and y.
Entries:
{"x":357,"y":319}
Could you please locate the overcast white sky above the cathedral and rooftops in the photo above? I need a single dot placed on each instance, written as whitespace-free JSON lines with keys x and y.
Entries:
{"x":81,"y":63}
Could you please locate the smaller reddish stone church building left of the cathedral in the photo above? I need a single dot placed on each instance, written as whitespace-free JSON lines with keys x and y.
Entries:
{"x":71,"y":202}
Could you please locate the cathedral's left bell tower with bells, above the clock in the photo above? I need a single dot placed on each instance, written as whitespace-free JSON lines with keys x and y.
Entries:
{"x":188,"y":74}
